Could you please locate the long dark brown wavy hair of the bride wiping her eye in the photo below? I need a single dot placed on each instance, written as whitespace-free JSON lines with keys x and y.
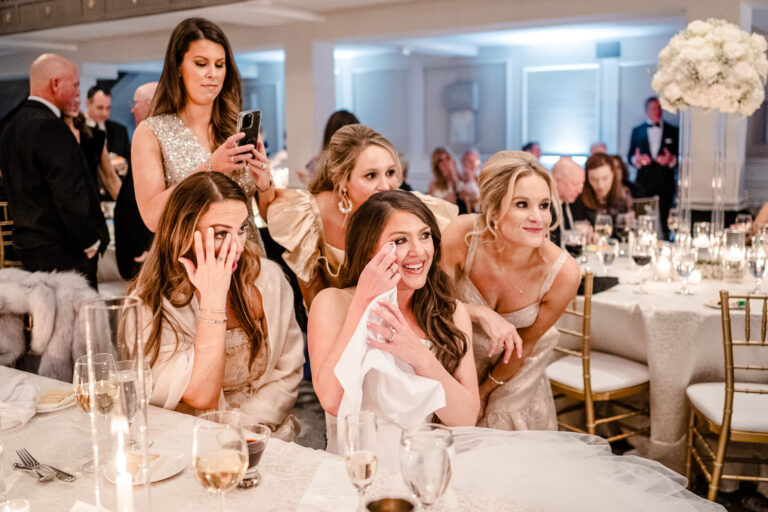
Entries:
{"x":434,"y":304}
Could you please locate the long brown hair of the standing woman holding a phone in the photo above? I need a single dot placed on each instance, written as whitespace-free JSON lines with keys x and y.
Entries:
{"x":171,"y":96}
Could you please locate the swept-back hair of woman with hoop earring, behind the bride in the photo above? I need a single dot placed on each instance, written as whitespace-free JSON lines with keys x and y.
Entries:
{"x":340,"y":157}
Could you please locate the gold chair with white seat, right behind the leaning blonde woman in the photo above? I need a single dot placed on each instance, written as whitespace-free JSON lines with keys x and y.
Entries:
{"x":590,"y":376}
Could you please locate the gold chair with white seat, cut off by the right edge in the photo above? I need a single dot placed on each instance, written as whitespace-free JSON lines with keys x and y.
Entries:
{"x":730,"y":411}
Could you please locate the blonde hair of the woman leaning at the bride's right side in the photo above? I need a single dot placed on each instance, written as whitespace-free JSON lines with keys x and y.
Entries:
{"x":497,"y":179}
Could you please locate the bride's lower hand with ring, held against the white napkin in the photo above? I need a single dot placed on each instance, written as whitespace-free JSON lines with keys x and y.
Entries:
{"x":401,"y":341}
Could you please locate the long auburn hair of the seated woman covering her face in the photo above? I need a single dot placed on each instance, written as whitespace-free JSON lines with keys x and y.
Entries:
{"x":163,"y":277}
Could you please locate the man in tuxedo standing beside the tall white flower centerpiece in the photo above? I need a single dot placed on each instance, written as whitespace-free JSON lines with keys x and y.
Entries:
{"x":653,"y":152}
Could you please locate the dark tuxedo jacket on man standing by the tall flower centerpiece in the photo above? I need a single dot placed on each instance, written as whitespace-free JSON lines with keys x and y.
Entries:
{"x":654,"y":179}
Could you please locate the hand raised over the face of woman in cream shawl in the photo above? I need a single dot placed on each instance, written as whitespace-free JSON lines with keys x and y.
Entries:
{"x":213,"y":274}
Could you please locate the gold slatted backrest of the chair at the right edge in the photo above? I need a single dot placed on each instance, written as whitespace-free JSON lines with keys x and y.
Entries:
{"x":754,"y":351}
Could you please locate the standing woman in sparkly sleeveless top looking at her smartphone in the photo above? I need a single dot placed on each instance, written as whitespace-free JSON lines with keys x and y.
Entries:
{"x":192,"y":123}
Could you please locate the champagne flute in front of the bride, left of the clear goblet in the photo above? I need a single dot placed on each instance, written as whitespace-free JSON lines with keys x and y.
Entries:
{"x":361,"y":439}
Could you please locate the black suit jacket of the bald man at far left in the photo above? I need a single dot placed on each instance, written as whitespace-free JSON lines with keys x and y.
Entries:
{"x":50,"y":193}
